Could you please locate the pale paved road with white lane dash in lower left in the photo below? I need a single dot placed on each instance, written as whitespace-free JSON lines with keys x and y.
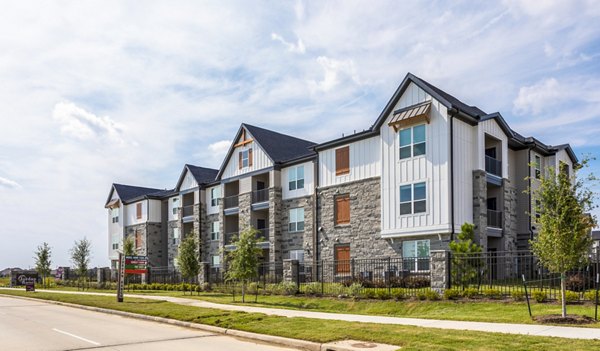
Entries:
{"x":32,"y":325}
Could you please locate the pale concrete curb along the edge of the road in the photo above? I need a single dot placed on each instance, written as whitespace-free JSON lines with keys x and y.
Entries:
{"x":276,"y":340}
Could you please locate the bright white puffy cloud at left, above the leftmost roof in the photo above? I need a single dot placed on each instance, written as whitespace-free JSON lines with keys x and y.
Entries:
{"x":81,"y":124}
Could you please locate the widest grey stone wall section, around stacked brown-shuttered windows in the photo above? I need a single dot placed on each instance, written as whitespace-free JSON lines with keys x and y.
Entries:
{"x":363,"y":232}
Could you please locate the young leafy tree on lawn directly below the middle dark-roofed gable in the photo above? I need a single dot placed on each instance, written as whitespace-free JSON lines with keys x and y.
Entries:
{"x":244,"y":259}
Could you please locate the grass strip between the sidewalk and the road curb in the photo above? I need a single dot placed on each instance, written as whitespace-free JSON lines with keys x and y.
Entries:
{"x":409,"y":338}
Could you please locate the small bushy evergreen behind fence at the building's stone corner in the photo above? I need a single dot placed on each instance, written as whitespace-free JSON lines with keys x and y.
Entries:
{"x":465,"y":258}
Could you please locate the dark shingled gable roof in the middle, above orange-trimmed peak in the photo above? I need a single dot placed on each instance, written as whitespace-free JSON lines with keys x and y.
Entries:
{"x":279,"y":147}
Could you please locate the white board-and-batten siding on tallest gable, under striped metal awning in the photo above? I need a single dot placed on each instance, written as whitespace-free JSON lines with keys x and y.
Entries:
{"x":431,"y":168}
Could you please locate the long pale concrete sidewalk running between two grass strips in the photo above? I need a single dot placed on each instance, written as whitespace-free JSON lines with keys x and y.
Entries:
{"x":523,"y":329}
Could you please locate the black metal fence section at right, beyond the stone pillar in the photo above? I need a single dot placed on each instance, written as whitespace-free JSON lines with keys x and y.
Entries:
{"x":503,"y":273}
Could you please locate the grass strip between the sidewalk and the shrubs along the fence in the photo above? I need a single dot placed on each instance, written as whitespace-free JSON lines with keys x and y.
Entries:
{"x":505,"y":311}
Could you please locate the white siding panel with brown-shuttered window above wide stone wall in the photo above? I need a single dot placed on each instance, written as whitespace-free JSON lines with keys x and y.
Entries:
{"x":365,"y":162}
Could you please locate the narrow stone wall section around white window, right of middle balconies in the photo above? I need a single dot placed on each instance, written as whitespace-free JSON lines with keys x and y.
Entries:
{"x":300,"y":240}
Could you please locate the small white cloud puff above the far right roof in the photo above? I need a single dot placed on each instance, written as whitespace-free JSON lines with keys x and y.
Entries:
{"x":539,"y":97}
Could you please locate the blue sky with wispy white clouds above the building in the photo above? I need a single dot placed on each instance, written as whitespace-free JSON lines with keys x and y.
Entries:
{"x":100,"y":92}
